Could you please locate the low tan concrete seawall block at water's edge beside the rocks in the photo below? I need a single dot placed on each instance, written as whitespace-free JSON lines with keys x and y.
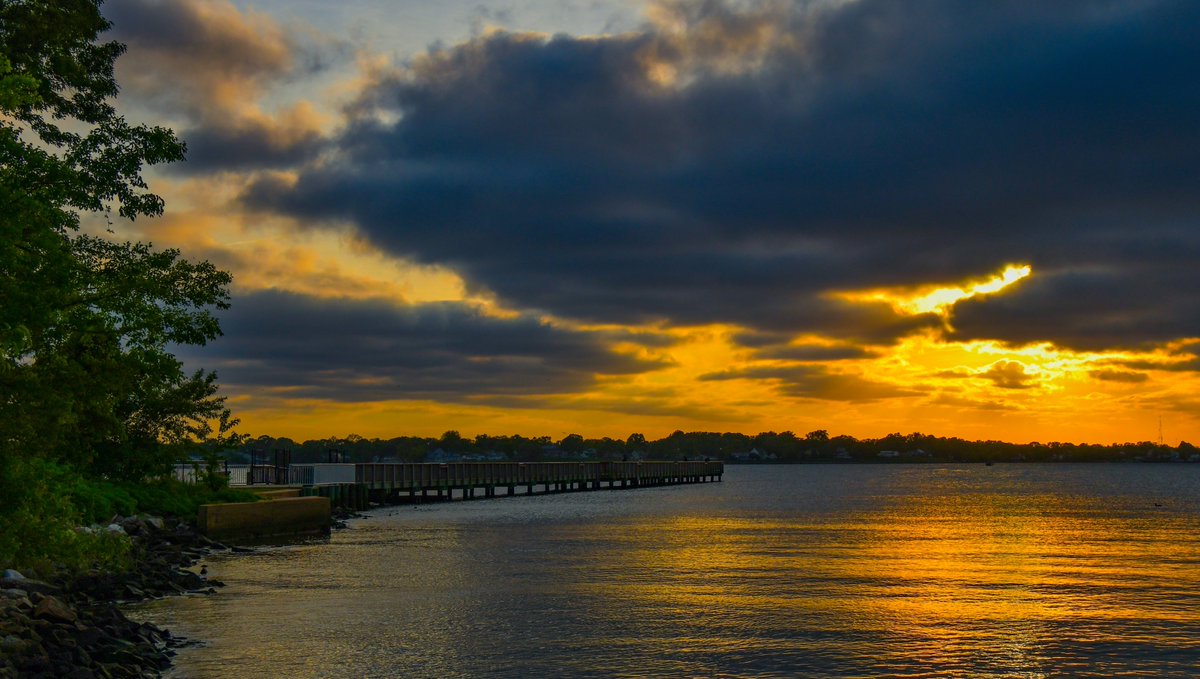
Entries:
{"x":281,"y":516}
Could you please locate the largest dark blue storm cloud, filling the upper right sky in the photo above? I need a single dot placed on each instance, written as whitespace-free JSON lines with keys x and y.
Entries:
{"x":802,"y":151}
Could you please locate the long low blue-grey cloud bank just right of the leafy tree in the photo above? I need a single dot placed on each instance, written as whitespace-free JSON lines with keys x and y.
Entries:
{"x":367,"y":351}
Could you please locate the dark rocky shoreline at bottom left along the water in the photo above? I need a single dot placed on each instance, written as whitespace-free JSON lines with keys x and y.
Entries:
{"x":74,"y":628}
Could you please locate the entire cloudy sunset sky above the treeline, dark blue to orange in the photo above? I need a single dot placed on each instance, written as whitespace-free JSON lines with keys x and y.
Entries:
{"x":611,"y":217}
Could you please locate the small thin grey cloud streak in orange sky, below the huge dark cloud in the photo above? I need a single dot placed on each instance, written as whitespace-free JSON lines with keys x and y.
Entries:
{"x":817,"y":382}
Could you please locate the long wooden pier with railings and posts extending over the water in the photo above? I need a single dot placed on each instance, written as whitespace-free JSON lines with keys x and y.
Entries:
{"x":417,"y":483}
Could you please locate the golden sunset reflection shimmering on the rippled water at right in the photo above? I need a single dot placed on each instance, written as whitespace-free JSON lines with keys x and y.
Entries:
{"x":961,"y":582}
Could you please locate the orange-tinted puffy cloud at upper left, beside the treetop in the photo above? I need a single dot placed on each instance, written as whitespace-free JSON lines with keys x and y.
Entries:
{"x":209,"y":64}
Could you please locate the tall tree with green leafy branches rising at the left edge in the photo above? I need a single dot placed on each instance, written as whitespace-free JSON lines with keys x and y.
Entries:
{"x":87,"y":377}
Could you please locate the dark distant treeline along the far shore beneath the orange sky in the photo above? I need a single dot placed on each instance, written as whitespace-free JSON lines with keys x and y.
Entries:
{"x":767,"y":447}
